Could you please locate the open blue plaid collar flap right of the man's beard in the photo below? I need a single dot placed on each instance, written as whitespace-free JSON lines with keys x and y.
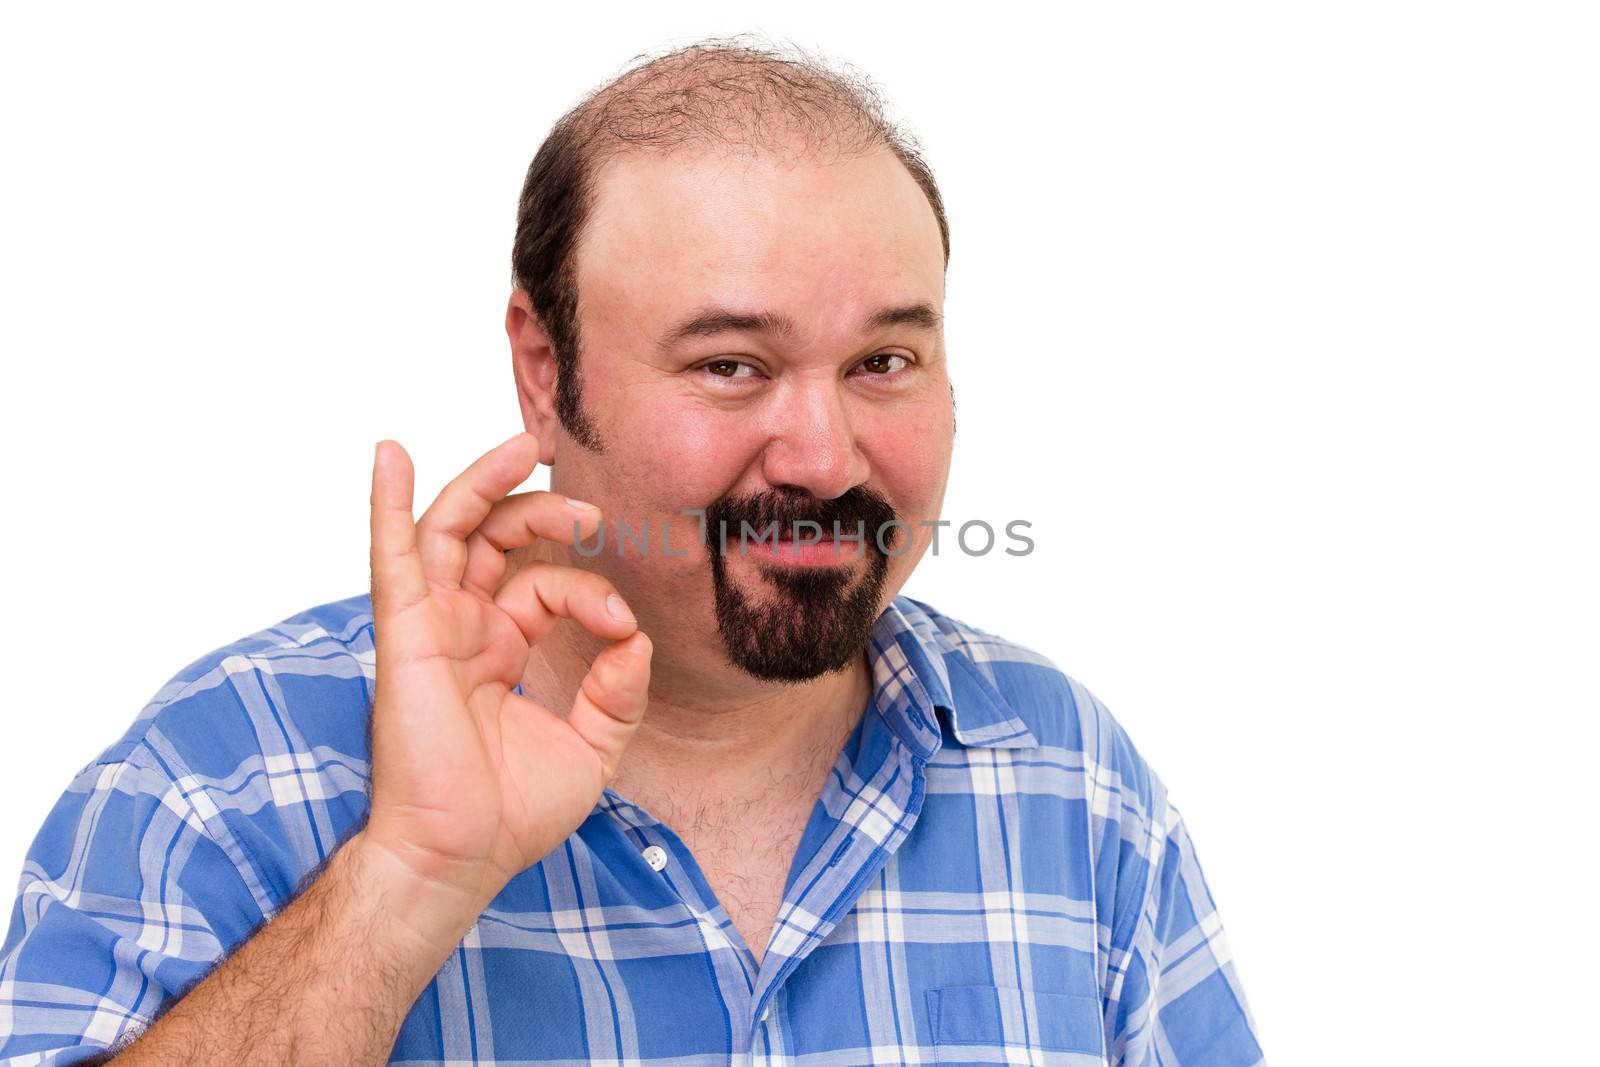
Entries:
{"x":918,"y":668}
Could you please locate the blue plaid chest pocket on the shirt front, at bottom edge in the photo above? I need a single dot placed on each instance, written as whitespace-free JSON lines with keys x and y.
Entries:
{"x":975,"y":1025}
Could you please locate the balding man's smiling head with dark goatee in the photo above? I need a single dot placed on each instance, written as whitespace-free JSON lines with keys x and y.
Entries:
{"x":730,"y":289}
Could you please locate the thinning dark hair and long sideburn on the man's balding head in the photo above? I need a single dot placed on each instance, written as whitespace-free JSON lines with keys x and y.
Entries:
{"x":730,"y":90}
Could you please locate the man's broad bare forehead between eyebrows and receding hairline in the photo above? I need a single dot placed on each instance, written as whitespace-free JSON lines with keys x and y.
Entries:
{"x":674,"y":230}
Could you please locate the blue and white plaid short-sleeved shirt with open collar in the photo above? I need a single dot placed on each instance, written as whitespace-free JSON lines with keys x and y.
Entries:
{"x":991,"y":876}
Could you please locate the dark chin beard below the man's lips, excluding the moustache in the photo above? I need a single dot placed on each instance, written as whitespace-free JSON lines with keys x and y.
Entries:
{"x":809,"y":625}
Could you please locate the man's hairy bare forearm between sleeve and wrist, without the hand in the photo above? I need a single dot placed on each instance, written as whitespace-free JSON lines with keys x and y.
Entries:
{"x":329,"y":980}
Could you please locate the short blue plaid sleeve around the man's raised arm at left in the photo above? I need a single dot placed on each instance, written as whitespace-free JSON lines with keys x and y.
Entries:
{"x":126,"y":900}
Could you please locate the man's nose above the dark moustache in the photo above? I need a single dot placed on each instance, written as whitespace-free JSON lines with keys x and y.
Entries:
{"x":812,"y":441}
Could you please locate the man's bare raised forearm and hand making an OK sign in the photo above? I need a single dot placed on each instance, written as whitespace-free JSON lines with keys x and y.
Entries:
{"x":471,"y":783}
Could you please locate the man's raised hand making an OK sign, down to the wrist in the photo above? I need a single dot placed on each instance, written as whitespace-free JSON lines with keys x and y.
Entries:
{"x":473,"y":783}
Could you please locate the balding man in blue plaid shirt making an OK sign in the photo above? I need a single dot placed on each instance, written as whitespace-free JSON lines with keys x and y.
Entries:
{"x":806,"y":820}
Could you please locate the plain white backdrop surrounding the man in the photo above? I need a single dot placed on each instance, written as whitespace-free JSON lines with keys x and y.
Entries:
{"x":1279,"y":324}
